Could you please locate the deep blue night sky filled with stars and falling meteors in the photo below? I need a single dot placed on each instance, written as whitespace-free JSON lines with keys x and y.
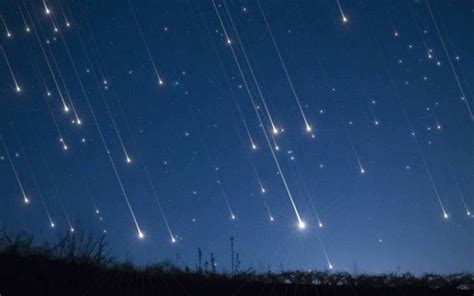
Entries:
{"x":347,"y":144}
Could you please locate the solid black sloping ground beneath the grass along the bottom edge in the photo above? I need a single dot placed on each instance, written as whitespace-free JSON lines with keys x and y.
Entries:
{"x":38,"y":275}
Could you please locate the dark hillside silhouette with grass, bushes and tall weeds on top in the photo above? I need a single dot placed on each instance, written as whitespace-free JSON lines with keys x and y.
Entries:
{"x":80,"y":264}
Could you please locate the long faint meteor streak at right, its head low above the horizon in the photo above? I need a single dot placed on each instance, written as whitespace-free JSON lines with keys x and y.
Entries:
{"x":407,"y":120}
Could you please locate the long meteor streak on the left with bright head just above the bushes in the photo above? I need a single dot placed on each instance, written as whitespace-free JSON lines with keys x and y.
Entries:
{"x":140,"y":234}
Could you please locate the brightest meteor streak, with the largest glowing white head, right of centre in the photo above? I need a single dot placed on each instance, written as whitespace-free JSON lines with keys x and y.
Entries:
{"x":301,"y":223}
